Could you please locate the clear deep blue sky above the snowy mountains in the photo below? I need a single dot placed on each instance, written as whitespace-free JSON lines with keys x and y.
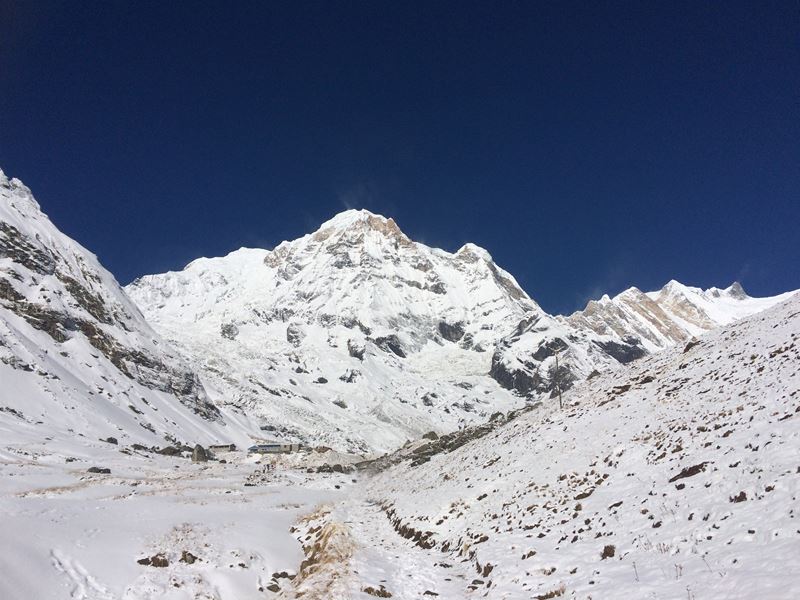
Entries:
{"x":588,"y":146}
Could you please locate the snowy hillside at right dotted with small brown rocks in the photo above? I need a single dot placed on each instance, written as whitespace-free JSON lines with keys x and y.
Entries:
{"x":674,"y":477}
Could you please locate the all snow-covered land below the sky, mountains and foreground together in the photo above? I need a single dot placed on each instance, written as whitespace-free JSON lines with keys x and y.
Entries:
{"x":422,"y":387}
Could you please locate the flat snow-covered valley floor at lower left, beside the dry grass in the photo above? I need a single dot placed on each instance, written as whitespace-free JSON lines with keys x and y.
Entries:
{"x":67,"y":533}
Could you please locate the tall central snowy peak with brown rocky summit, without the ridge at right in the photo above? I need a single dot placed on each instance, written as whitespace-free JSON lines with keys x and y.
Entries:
{"x":353,"y":336}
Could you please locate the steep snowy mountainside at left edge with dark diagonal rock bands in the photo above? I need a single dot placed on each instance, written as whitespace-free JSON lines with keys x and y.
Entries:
{"x":76,"y":355}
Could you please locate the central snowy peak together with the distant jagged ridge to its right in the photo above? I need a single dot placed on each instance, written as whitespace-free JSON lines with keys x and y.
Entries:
{"x":356,"y":336}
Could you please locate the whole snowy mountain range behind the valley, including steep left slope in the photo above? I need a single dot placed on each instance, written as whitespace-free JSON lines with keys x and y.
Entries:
{"x":353,"y":336}
